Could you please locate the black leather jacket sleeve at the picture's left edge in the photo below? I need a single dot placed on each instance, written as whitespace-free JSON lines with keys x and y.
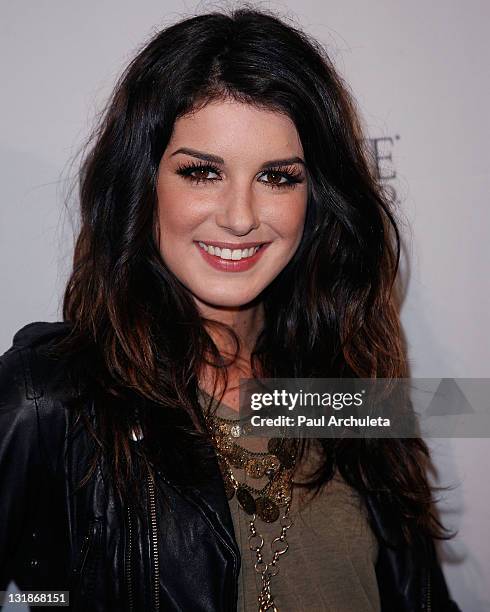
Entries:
{"x":19,"y":460}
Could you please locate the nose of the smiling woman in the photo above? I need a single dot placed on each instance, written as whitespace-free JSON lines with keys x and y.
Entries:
{"x":238,"y":211}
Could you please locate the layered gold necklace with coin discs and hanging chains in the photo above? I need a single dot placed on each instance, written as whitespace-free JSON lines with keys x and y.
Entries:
{"x":277,"y":464}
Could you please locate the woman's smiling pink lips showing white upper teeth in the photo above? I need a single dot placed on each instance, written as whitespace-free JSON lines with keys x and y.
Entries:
{"x":220,"y":256}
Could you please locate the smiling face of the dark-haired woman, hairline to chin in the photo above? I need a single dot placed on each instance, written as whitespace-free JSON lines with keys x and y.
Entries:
{"x":232,"y":196}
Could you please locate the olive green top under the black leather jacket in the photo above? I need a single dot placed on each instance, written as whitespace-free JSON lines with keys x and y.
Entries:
{"x":330,"y":563}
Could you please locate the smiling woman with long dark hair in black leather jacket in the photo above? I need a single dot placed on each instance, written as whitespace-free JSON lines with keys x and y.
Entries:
{"x":230,"y":227}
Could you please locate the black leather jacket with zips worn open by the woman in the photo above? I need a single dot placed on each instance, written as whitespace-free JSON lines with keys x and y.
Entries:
{"x":54,"y":537}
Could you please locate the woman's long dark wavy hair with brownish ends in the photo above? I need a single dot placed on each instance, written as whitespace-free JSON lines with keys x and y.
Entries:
{"x":331,"y":313}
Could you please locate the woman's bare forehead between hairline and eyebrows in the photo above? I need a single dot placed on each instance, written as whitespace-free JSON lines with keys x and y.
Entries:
{"x":233,"y":129}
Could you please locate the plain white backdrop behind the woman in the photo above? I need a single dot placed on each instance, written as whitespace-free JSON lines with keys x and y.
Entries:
{"x":420,"y":74}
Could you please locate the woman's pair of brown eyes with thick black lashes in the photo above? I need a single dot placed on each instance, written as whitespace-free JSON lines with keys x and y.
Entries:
{"x":287,"y":176}
